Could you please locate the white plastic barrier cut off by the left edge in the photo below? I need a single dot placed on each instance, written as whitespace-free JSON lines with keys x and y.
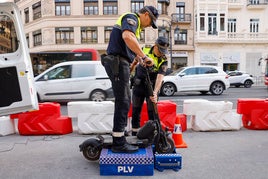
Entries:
{"x":7,"y":126}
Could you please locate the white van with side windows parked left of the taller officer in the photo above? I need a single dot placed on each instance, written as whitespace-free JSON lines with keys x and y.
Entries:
{"x":74,"y":80}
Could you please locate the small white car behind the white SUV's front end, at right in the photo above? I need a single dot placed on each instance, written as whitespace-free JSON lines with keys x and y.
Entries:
{"x":239,"y":78}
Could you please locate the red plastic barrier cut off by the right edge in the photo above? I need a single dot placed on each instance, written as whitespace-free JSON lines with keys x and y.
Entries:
{"x":254,"y":112}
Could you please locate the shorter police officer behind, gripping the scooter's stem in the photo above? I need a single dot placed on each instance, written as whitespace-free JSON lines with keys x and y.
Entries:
{"x":156,"y":74}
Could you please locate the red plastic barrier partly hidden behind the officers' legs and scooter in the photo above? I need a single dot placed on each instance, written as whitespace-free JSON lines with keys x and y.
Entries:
{"x":166,"y":110}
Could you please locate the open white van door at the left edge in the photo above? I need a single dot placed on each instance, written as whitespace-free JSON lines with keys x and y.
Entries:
{"x":17,"y":92}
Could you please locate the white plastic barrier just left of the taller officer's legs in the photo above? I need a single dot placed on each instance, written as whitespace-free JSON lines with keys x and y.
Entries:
{"x":93,"y":117}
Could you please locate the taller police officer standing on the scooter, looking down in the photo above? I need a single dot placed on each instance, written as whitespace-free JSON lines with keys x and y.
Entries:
{"x":123,"y":47}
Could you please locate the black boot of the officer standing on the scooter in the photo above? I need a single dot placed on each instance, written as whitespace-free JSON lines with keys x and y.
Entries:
{"x":120,"y":145}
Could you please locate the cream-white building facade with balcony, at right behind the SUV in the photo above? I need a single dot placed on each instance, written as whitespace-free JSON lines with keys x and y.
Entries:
{"x":232,"y":34}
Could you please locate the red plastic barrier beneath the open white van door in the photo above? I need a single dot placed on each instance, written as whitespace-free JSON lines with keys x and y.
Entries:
{"x":46,"y":120}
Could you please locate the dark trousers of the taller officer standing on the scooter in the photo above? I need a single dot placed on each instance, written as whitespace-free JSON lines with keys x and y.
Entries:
{"x":121,"y":89}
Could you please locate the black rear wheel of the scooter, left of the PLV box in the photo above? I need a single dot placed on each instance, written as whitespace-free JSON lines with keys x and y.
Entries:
{"x":92,"y":152}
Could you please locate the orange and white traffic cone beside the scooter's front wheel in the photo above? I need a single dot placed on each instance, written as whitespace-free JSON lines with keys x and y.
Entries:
{"x":177,"y":134}
